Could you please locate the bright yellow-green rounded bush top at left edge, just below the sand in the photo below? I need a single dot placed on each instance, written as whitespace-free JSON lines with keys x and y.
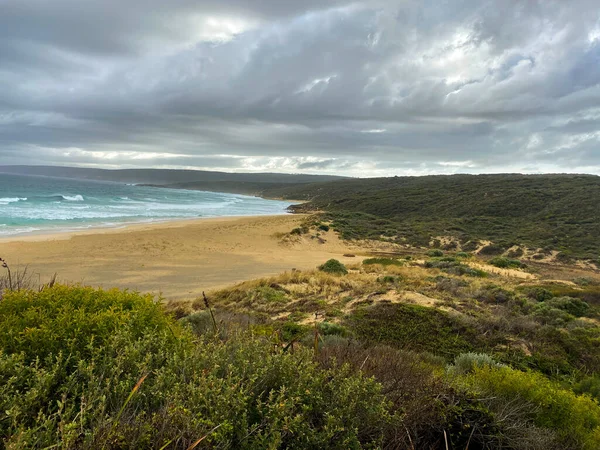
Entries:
{"x":67,"y":319}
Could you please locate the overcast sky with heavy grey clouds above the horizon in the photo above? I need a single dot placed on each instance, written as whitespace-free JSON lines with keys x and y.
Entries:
{"x":357,"y":88}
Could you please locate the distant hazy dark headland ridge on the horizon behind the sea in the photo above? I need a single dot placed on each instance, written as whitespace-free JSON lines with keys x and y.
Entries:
{"x":191,"y":179}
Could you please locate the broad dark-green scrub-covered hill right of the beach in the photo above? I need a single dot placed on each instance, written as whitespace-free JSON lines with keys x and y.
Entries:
{"x":552,"y":212}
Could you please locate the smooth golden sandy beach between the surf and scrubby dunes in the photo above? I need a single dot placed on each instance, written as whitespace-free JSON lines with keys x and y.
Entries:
{"x":178,"y":259}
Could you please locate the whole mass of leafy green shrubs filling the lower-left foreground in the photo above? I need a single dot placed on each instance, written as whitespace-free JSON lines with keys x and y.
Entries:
{"x":72,"y":357}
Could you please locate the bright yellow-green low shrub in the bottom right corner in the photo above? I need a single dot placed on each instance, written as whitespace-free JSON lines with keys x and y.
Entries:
{"x":575,"y":418}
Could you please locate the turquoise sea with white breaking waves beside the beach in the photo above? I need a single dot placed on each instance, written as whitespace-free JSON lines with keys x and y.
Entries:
{"x":31,"y":204}
